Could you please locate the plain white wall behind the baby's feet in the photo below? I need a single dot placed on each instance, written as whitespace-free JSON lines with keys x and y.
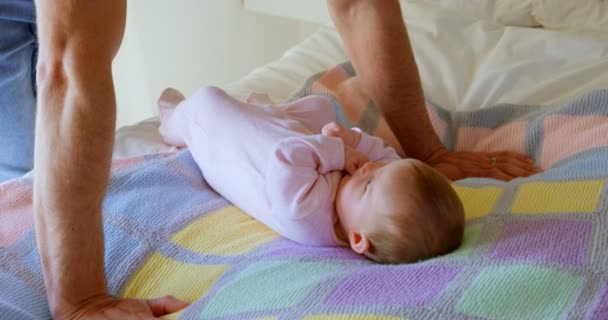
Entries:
{"x":189,"y":43}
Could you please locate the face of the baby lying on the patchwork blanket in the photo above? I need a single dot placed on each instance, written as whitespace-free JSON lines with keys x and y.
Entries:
{"x":369,"y":187}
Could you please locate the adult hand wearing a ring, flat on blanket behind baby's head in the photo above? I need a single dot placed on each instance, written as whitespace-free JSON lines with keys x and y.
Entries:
{"x":503,"y":165}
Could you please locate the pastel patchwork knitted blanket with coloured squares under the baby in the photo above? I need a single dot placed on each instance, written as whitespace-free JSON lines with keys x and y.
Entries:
{"x":534,"y":248}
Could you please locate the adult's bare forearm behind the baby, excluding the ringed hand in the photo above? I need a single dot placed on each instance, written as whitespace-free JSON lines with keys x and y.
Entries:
{"x":378,"y":45}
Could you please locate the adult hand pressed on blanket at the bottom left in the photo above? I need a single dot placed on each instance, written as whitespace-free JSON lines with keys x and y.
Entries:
{"x":105,"y":307}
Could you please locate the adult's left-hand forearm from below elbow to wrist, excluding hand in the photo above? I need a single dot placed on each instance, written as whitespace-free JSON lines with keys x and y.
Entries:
{"x":72,"y":162}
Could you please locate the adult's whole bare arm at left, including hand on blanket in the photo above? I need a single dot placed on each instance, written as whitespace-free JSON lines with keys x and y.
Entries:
{"x":74,"y":136}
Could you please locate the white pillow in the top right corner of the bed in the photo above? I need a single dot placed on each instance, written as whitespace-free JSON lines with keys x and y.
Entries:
{"x":572,"y":14}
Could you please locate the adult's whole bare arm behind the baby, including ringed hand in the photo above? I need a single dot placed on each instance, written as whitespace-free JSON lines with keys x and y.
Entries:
{"x":378,"y":45}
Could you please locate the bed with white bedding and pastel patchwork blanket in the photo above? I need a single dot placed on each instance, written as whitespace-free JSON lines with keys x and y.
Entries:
{"x":526,"y":76}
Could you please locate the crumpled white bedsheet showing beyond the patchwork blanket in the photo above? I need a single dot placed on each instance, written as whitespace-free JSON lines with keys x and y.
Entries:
{"x":465,"y":64}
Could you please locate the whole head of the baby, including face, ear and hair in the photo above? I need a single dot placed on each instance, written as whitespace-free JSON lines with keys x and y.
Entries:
{"x":399,"y":212}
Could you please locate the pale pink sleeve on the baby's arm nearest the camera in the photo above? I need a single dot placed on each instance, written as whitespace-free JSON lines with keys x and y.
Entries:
{"x":299,"y":189}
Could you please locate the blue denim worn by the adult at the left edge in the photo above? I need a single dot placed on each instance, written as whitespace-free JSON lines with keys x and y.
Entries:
{"x":18,"y":54}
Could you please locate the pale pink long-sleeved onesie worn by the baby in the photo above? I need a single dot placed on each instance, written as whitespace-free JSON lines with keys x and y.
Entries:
{"x":272,"y":162}
